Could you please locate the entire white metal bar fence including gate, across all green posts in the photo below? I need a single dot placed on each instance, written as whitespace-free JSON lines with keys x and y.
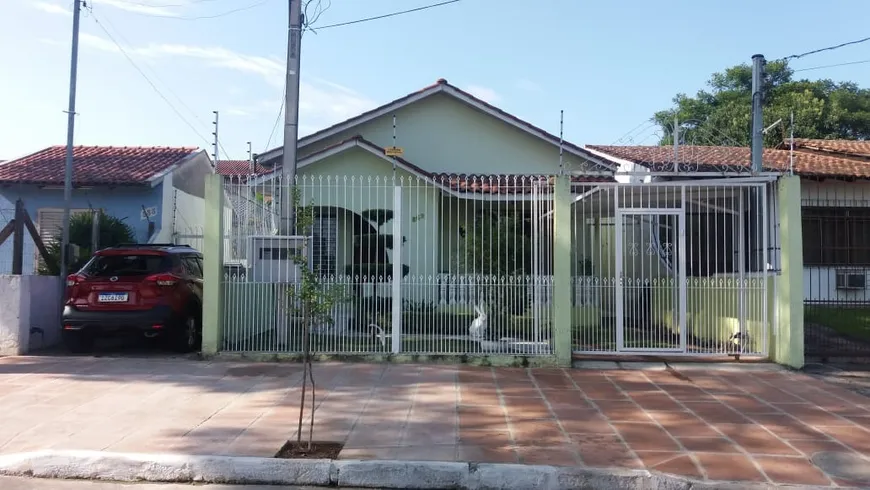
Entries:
{"x":465,"y":266}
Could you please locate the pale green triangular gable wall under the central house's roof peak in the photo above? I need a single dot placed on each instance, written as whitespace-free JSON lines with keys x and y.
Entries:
{"x":443,"y":134}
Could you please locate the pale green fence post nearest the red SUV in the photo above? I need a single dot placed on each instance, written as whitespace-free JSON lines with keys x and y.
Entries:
{"x":213,"y":265}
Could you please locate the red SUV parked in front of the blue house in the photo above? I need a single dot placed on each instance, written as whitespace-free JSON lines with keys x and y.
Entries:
{"x":152,"y":290}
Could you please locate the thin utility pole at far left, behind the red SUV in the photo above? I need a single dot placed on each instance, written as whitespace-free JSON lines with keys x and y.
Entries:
{"x":70,"y":131}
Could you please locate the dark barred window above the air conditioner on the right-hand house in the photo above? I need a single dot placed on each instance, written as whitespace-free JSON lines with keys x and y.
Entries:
{"x":836,"y":236}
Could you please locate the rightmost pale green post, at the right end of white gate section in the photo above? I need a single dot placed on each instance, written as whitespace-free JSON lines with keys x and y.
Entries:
{"x":787,"y":343}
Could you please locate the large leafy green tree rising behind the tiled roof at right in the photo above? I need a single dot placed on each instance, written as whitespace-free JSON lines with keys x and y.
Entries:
{"x":721,"y":114}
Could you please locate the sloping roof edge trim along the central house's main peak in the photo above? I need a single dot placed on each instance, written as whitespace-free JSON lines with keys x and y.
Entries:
{"x":443,"y":87}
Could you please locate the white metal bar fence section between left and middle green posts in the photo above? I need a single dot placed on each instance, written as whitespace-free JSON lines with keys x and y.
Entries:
{"x":425,"y":267}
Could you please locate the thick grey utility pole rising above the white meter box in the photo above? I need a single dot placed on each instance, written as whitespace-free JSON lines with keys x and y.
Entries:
{"x":287,"y":225}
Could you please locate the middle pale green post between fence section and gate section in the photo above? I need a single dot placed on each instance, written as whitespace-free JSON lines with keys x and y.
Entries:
{"x":561,"y":303}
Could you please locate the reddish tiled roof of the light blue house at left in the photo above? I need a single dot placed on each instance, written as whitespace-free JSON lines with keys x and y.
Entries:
{"x":93,"y":165}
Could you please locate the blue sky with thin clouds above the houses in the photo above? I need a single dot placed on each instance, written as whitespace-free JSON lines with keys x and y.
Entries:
{"x":151,"y":72}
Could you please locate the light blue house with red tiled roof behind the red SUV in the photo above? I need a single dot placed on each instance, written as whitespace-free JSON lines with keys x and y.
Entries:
{"x":156,"y":190}
